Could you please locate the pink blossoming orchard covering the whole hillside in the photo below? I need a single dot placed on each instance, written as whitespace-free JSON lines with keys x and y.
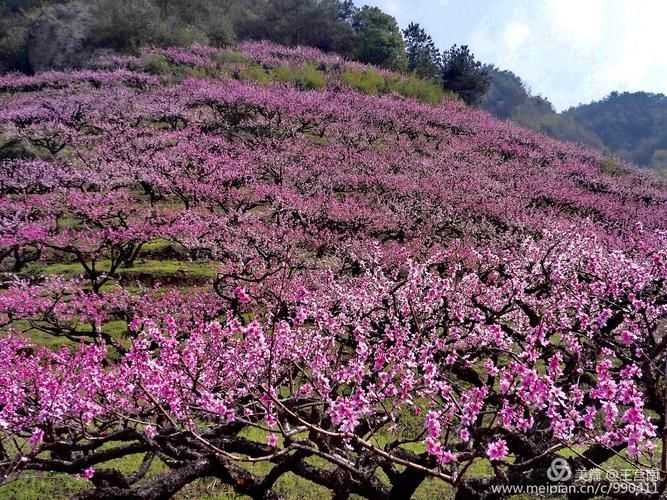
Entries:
{"x":397,"y":291}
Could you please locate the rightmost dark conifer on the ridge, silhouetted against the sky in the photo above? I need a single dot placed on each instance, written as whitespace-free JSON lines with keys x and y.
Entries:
{"x":464,"y":75}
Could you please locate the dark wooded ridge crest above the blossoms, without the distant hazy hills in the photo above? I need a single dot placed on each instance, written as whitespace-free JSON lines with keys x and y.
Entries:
{"x":66,"y":34}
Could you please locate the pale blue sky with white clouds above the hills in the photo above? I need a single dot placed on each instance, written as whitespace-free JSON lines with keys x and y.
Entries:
{"x":570,"y":51}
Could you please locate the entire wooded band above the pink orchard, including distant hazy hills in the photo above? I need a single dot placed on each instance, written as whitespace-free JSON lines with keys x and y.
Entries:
{"x":39,"y":35}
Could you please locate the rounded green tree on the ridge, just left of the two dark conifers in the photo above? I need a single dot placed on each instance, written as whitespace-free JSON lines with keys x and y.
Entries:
{"x":379,"y":39}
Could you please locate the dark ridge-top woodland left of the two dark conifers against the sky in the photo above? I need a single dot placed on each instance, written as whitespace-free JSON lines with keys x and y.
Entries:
{"x":127,"y":25}
